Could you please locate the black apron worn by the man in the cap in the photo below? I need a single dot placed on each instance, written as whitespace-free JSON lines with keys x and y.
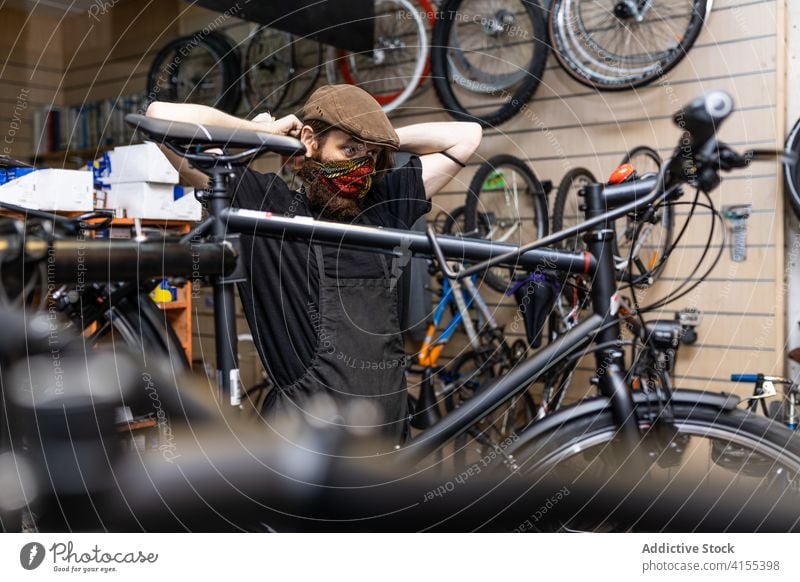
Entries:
{"x":359,"y":351}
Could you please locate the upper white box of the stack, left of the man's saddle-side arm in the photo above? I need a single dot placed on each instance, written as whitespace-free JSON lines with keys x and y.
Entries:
{"x":139,"y":163}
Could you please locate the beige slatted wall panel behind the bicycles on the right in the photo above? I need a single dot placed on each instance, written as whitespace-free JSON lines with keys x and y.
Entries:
{"x":568,"y":125}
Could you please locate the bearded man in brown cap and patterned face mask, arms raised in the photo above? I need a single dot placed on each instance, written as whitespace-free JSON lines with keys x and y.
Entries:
{"x":324,"y":318}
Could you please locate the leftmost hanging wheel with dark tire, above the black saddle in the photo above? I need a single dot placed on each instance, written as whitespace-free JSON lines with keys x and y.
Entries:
{"x":197,"y":69}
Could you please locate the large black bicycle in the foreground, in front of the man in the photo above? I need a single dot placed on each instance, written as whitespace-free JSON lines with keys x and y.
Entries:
{"x":655,"y":423}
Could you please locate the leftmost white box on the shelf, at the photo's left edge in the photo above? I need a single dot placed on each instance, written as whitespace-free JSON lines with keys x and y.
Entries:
{"x":51,"y":189}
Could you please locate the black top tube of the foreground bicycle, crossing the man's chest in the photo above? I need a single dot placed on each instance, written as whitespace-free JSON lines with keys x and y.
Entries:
{"x":252,"y":222}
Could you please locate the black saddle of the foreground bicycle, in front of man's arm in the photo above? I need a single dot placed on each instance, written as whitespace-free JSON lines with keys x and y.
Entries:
{"x":184,"y":134}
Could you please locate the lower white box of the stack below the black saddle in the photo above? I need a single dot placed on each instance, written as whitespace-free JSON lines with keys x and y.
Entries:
{"x":151,"y":200}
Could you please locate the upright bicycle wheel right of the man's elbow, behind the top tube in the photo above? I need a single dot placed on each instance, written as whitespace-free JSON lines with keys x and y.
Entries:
{"x":507,"y":191}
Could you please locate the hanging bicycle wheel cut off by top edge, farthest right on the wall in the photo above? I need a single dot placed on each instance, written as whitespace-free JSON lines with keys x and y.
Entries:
{"x":622,"y":44}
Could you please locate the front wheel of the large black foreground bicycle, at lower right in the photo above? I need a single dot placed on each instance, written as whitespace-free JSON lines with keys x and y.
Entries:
{"x":700,"y":445}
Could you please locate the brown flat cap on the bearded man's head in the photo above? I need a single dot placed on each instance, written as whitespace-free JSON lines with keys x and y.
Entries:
{"x":353,"y":110}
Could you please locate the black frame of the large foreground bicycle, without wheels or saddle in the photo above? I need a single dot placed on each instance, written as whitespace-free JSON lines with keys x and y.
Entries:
{"x":603,"y":205}
